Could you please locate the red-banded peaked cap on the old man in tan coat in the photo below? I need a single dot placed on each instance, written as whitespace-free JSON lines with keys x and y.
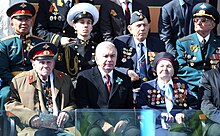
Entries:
{"x":43,"y":51}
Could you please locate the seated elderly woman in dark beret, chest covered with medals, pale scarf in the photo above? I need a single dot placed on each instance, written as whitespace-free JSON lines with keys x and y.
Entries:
{"x":167,"y":95}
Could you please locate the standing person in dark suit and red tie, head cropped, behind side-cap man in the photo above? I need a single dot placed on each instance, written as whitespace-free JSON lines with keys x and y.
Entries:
{"x":114,"y":16}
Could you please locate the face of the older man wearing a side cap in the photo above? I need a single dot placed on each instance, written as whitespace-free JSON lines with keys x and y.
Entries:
{"x":139,"y":29}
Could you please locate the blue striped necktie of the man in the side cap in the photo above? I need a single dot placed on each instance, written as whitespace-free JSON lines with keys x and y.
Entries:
{"x":142,"y":63}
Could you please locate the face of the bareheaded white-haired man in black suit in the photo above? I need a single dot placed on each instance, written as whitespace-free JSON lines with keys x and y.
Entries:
{"x":106,"y":59}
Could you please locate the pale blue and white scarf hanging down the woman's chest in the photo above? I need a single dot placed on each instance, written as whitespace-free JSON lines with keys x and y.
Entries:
{"x":169,"y":98}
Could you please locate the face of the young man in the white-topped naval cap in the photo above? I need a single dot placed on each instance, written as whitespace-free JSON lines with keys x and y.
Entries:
{"x":83,"y":27}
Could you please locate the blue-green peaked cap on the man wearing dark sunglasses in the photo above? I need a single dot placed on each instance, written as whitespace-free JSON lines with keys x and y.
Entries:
{"x":206,"y":10}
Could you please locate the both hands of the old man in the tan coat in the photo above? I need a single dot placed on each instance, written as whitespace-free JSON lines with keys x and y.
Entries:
{"x":62,"y":118}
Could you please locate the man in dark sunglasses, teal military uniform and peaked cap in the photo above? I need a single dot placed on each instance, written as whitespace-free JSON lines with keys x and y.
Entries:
{"x":199,"y":51}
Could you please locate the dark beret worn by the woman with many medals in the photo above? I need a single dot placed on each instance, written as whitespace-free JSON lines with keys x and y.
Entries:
{"x":166,"y":56}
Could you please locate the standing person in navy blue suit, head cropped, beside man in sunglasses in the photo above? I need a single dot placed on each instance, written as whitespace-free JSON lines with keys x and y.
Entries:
{"x":175,"y":21}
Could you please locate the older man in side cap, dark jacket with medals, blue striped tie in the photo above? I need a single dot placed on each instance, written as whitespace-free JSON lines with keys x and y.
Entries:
{"x":136,"y":47}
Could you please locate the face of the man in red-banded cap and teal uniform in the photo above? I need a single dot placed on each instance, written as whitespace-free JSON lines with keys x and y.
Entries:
{"x":21,"y":26}
